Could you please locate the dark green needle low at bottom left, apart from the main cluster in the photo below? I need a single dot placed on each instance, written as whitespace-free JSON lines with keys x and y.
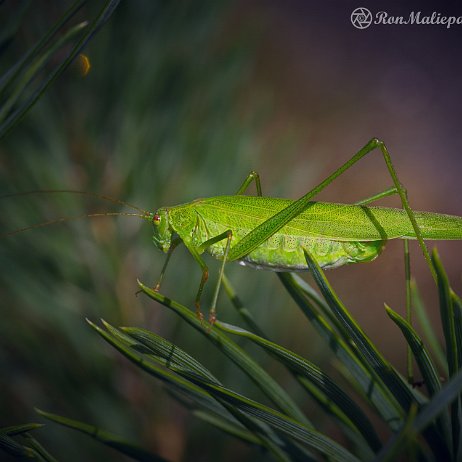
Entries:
{"x":104,"y":437}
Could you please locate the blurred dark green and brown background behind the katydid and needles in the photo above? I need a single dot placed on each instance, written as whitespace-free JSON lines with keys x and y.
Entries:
{"x":183,"y":99}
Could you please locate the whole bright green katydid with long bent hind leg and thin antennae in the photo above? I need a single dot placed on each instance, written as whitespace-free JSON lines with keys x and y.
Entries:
{"x":272,"y":233}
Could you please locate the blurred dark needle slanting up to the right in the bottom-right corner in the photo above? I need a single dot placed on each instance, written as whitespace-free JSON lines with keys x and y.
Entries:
{"x":427,"y":414}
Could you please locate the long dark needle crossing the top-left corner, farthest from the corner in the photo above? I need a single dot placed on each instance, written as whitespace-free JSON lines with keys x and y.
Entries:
{"x":95,"y":25}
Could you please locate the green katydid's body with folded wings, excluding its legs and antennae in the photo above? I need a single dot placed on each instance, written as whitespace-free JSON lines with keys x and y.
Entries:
{"x":335,"y":234}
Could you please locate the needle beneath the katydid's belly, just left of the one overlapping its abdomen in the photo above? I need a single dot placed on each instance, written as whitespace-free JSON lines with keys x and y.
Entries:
{"x":372,"y":389}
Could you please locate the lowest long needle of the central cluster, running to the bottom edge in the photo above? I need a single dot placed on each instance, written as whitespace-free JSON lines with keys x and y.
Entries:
{"x":186,"y":387}
